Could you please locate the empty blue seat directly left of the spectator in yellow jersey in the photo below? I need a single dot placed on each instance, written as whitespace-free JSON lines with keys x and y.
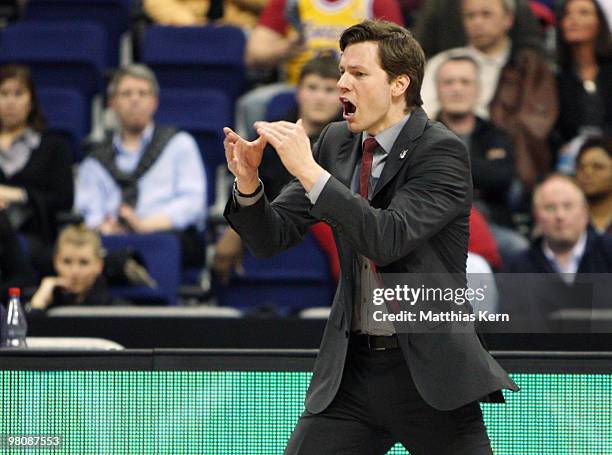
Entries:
{"x":197,"y":57}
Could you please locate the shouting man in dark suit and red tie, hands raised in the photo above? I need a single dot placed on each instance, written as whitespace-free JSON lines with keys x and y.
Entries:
{"x":372,"y":386}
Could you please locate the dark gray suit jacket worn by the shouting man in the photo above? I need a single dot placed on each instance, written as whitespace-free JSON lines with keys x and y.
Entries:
{"x":417,"y":222}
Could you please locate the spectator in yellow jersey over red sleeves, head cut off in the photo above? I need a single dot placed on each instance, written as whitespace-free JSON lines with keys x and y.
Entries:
{"x":291,"y":32}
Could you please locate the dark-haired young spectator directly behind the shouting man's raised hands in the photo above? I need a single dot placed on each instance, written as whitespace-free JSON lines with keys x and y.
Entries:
{"x":317,"y":105}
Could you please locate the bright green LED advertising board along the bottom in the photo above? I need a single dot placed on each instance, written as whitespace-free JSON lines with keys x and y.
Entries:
{"x":249,"y":413}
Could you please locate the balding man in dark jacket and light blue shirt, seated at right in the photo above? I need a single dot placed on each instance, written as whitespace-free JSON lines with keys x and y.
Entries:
{"x":568,"y":251}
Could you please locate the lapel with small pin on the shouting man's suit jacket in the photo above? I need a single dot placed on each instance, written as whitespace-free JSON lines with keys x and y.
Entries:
{"x":405,"y":143}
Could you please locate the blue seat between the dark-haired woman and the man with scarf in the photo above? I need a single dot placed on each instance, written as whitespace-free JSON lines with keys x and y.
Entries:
{"x":67,"y":113}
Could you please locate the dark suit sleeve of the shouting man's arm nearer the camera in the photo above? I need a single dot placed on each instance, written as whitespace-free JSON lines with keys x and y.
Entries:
{"x":424,"y":205}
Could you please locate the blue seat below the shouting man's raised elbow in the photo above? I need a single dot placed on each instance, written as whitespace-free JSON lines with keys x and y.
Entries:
{"x":295,"y":279}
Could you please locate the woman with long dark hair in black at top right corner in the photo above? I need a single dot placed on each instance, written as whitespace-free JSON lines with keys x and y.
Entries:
{"x":585,"y":77}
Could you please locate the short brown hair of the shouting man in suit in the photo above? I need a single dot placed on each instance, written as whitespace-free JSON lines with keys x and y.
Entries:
{"x":399,"y":53}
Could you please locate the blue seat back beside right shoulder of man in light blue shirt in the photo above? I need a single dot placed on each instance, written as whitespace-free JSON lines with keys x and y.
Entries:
{"x":203,"y":113}
